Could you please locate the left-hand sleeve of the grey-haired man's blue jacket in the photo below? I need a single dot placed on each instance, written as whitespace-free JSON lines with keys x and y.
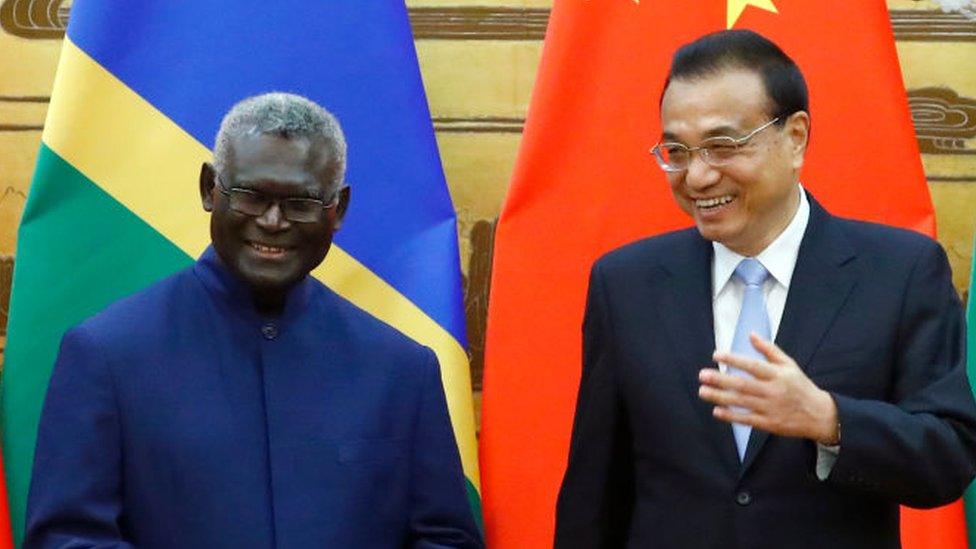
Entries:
{"x":75,"y":493}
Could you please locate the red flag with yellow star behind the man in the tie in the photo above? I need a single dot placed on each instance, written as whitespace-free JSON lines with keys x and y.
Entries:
{"x":584,"y":183}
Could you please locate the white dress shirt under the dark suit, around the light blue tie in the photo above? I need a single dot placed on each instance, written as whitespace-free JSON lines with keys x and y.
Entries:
{"x":779,"y":258}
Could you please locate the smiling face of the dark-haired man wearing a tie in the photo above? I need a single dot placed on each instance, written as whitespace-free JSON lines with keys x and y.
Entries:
{"x":748,"y":202}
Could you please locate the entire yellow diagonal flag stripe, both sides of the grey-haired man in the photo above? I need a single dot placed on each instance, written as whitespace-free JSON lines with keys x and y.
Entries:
{"x":151,"y":166}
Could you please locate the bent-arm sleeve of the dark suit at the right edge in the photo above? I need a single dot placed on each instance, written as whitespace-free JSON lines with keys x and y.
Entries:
{"x":920,"y":449}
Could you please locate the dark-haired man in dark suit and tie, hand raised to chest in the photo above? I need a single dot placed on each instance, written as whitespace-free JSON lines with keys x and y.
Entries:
{"x":861,"y":404}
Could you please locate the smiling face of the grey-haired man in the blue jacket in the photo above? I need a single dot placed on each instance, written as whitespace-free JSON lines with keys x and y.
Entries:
{"x":269,"y":252}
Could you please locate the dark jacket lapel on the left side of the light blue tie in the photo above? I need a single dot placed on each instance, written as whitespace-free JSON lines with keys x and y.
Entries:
{"x":687,"y":313}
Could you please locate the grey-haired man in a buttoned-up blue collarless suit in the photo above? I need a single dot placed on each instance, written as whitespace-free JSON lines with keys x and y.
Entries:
{"x":240,"y":403}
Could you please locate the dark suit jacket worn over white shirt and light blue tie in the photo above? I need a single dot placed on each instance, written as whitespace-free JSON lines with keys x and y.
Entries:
{"x":871,"y":316}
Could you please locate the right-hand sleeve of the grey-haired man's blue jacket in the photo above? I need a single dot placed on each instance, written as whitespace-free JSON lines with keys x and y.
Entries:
{"x":440,"y":514}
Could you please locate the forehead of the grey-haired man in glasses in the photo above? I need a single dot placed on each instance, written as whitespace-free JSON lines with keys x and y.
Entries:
{"x":263,"y":156}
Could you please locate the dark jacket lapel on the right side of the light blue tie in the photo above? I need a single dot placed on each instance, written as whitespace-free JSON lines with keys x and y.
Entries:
{"x":822,"y":280}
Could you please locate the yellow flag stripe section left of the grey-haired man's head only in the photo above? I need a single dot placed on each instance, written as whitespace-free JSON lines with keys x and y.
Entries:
{"x":137,"y":155}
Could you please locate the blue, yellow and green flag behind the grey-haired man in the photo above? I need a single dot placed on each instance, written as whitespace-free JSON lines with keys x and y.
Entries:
{"x":114,"y":203}
